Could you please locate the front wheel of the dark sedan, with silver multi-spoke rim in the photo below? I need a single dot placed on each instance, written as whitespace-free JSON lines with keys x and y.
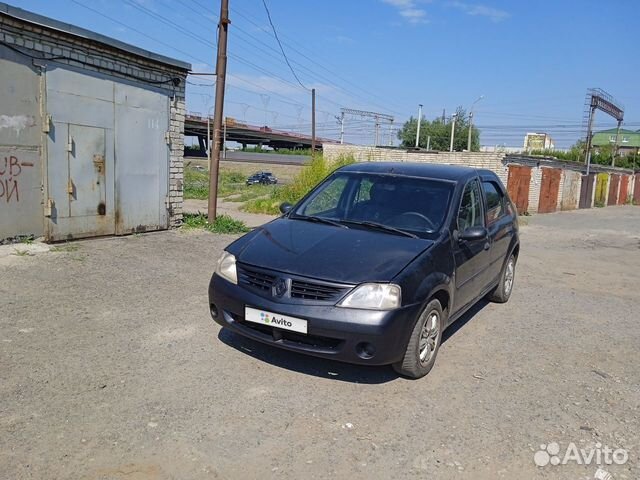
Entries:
{"x":417,"y":362}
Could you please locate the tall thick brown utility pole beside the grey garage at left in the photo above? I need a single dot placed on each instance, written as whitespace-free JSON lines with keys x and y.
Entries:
{"x":221,"y":75}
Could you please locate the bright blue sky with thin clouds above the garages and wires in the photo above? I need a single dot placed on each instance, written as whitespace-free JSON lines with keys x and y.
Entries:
{"x":532,"y":61}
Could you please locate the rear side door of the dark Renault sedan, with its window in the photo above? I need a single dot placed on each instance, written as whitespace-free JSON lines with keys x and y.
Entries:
{"x":499,"y":226}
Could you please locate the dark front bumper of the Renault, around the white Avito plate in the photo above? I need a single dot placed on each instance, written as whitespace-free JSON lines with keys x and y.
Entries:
{"x":367,"y":337}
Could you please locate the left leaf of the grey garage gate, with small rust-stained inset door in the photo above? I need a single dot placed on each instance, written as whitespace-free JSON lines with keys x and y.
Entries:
{"x":80,"y":159}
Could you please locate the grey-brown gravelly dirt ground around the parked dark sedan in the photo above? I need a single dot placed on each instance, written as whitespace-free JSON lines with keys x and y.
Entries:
{"x":110,"y":368}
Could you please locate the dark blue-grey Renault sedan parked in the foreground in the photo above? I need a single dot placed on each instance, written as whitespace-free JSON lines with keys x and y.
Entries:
{"x":372,"y":265}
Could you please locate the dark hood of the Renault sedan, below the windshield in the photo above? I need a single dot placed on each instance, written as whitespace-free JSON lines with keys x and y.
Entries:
{"x":327,"y":252}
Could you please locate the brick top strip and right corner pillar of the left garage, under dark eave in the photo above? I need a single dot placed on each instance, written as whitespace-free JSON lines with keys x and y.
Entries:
{"x":50,"y":45}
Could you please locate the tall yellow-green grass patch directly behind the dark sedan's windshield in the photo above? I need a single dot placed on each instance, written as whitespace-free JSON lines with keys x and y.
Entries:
{"x":309,"y":177}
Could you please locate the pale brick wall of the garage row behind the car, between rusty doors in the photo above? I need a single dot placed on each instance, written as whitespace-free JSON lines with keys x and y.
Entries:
{"x":496,"y":161}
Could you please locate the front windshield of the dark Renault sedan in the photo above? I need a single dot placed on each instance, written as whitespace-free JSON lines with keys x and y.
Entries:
{"x":413,"y":205}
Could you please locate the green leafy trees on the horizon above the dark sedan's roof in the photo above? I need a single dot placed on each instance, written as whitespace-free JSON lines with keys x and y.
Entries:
{"x":440,"y":133}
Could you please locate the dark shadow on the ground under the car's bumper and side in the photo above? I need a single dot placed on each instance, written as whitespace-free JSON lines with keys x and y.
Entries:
{"x":323,"y":368}
